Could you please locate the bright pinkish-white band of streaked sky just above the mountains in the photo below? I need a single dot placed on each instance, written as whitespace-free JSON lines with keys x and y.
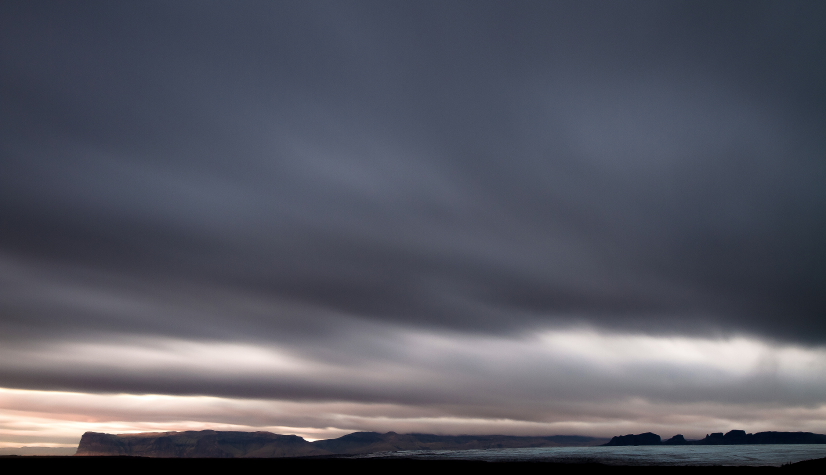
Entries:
{"x":553,"y":382}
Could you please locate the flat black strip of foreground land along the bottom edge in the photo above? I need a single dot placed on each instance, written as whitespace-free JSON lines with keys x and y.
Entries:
{"x":13,"y":464}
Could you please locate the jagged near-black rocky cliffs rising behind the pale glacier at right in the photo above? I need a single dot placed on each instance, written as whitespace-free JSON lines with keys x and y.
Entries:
{"x":734,"y":437}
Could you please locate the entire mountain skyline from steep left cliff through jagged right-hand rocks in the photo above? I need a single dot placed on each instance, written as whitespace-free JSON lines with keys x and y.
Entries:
{"x":236,"y":444}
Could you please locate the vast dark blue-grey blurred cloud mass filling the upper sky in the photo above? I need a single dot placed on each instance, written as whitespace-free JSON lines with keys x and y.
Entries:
{"x":483,"y":167}
